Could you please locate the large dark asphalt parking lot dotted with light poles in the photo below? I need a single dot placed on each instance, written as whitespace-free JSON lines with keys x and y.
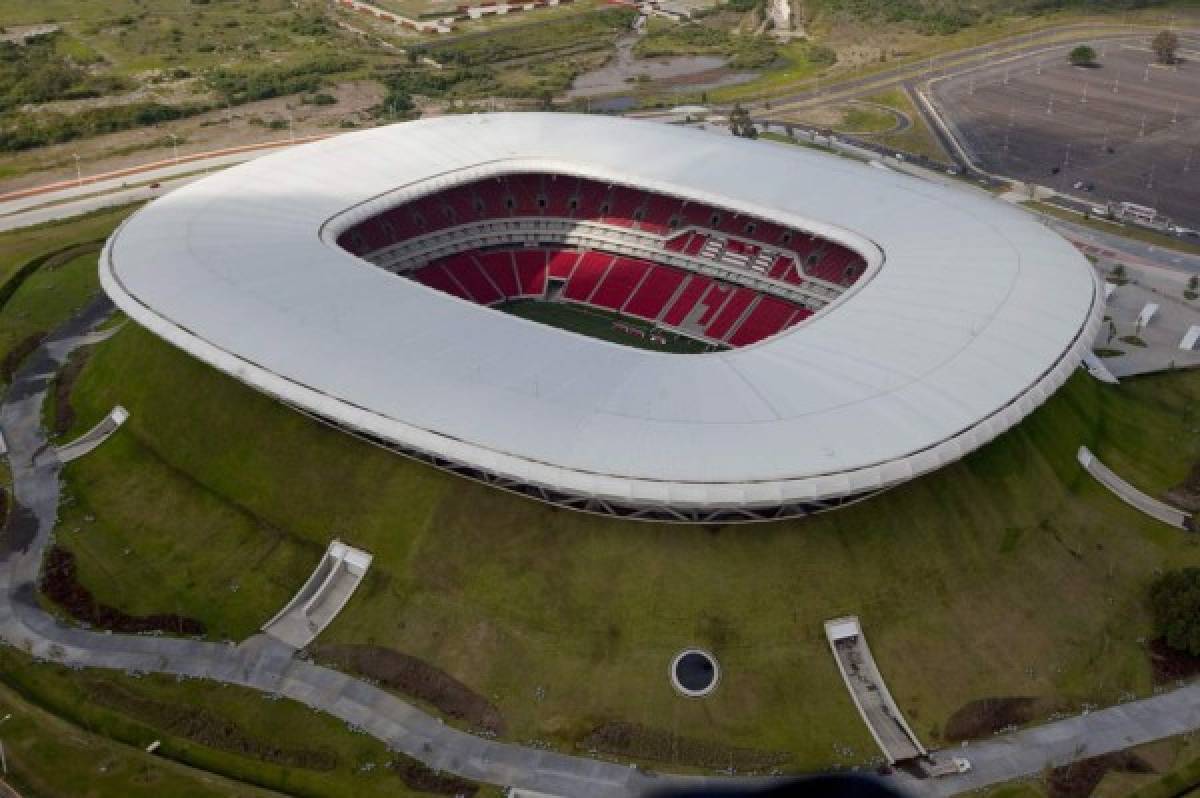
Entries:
{"x":1126,"y":130}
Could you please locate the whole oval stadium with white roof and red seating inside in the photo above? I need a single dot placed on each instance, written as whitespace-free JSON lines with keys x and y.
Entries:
{"x":773,"y":332}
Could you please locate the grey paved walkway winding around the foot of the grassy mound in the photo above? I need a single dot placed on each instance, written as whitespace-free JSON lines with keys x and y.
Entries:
{"x":267,"y":665}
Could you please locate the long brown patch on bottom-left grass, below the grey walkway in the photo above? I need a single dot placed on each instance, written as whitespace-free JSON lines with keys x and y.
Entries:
{"x":207,"y":729}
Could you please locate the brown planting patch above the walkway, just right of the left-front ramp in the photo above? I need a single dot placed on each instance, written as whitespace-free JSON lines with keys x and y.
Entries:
{"x":417,"y":679}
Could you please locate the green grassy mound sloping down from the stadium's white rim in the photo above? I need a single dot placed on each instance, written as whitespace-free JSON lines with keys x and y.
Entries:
{"x":1011,"y":573}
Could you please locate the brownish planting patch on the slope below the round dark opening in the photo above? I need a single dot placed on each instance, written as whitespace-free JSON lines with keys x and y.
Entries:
{"x":661,"y":746}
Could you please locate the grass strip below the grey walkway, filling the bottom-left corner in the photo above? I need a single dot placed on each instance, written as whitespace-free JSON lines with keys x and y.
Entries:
{"x":249,"y":739}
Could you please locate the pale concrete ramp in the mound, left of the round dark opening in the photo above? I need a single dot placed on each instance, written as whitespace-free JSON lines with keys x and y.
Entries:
{"x":316,"y":605}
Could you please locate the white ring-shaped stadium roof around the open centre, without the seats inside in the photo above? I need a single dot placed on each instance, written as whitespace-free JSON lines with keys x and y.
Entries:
{"x":971,"y":319}
